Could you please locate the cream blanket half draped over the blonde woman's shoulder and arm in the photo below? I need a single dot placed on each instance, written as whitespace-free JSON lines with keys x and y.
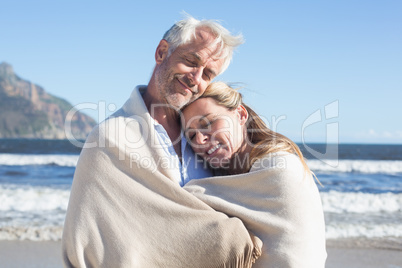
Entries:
{"x":278,"y":203}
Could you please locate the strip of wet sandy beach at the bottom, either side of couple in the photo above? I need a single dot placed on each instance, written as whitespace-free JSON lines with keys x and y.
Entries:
{"x":48,"y":254}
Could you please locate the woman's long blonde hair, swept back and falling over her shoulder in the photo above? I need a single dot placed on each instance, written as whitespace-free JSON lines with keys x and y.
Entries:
{"x":264,"y":140}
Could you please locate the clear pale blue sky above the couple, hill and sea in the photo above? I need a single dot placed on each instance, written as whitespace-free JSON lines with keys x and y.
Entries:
{"x":299,"y":57}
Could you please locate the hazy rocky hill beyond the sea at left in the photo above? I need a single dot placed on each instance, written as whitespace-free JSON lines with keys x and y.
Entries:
{"x":28,"y":111}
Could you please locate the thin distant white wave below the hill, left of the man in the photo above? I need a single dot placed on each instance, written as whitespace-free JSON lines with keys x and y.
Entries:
{"x":38,"y":159}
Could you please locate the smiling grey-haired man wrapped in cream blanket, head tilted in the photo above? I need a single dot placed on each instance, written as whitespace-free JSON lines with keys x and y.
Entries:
{"x":127,"y":208}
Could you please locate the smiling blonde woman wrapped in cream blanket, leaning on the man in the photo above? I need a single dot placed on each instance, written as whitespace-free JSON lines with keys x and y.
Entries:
{"x":267,"y":184}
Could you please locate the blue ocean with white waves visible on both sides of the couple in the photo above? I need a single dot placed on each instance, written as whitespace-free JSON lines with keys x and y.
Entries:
{"x":361,"y":189}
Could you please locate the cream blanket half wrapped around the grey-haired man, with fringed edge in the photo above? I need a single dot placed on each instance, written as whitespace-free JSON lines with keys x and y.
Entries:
{"x":127,"y":210}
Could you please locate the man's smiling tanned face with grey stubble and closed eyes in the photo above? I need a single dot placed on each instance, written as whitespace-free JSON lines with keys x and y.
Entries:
{"x":185,"y":74}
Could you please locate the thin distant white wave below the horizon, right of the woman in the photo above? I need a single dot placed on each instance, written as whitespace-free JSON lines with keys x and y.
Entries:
{"x":356,"y":166}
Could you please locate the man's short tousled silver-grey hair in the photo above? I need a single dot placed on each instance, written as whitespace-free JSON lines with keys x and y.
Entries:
{"x":184,"y":31}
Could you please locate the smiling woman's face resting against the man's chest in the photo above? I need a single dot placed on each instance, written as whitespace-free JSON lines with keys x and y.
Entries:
{"x":214,"y":132}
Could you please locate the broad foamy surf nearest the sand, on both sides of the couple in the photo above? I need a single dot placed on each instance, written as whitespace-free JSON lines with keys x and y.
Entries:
{"x":37,"y":213}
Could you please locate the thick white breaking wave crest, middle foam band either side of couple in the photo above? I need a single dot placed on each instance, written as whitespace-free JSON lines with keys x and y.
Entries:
{"x":40,"y":198}
